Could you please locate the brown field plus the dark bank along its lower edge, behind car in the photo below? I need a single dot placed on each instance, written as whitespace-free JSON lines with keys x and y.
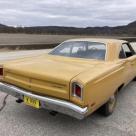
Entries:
{"x":33,"y":41}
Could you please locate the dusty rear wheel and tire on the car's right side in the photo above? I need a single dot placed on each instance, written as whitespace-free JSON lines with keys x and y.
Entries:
{"x":108,"y":108}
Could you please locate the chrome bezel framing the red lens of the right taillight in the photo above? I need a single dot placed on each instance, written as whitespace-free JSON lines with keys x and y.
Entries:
{"x":74,"y":84}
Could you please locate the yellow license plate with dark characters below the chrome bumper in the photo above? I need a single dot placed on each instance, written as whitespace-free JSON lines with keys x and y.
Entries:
{"x":32,"y":102}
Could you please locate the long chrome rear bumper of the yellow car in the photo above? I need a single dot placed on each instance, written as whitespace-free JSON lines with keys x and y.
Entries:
{"x":54,"y":104}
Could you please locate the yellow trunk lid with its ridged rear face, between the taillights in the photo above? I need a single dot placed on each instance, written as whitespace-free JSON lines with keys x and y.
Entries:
{"x":48,"y":75}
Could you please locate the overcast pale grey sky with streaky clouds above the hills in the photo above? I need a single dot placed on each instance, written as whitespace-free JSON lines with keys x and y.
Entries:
{"x":77,"y":13}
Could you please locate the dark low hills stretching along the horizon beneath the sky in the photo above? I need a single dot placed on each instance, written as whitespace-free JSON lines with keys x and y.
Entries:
{"x":127,"y":30}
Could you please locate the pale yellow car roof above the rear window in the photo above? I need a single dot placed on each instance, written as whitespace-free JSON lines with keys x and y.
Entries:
{"x":101,"y":40}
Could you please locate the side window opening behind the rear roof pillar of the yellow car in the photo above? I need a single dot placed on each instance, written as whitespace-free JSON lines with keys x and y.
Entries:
{"x":126,"y":51}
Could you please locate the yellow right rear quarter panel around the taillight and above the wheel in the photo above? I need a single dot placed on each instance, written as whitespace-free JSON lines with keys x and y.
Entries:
{"x":99,"y":85}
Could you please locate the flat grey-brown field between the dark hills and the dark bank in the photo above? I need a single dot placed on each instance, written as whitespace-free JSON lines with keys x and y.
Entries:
{"x":20,"y":39}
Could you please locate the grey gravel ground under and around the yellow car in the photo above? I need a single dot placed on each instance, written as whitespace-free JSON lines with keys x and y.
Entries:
{"x":21,"y":120}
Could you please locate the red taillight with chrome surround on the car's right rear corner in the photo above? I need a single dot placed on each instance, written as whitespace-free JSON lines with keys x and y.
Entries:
{"x":77,"y":90}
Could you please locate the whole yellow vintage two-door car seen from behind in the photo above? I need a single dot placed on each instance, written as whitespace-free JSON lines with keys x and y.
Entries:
{"x":76,"y":78}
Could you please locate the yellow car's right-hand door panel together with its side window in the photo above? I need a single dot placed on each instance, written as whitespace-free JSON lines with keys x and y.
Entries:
{"x":128,"y":54}
